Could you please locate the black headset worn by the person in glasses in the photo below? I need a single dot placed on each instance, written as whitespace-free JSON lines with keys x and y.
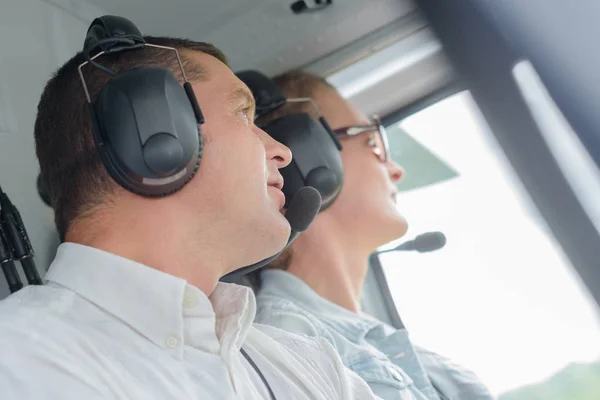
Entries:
{"x":316,"y":160}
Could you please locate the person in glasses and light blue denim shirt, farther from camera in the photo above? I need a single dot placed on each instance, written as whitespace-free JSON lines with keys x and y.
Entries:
{"x":314,"y":287}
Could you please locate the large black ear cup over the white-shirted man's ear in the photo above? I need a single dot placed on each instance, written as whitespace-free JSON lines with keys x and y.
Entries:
{"x":148,"y":131}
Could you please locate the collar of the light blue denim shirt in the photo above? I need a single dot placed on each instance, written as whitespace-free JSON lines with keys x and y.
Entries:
{"x":282,"y":284}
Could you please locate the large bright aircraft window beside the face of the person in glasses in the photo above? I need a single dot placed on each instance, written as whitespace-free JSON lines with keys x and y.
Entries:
{"x":500,"y":298}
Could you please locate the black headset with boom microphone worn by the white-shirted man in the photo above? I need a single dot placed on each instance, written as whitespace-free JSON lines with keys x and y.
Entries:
{"x":146,"y":126}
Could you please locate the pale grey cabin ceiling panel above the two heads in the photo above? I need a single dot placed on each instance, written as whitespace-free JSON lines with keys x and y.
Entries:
{"x":261,"y":34}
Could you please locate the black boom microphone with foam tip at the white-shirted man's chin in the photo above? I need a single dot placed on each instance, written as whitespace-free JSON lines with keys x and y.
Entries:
{"x":303,"y":209}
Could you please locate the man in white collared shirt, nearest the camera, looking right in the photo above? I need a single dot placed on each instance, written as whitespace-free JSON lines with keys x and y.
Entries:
{"x":132,"y":308}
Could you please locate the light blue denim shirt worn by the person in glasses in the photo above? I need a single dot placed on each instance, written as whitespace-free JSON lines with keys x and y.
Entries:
{"x":381,"y":354}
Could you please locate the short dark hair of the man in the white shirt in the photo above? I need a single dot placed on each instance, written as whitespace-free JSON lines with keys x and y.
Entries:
{"x":71,"y":169}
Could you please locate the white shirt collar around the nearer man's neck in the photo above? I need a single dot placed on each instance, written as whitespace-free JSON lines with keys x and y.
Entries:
{"x":154,"y":303}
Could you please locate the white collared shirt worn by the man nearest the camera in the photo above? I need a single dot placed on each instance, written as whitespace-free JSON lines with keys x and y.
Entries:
{"x":105,"y":327}
